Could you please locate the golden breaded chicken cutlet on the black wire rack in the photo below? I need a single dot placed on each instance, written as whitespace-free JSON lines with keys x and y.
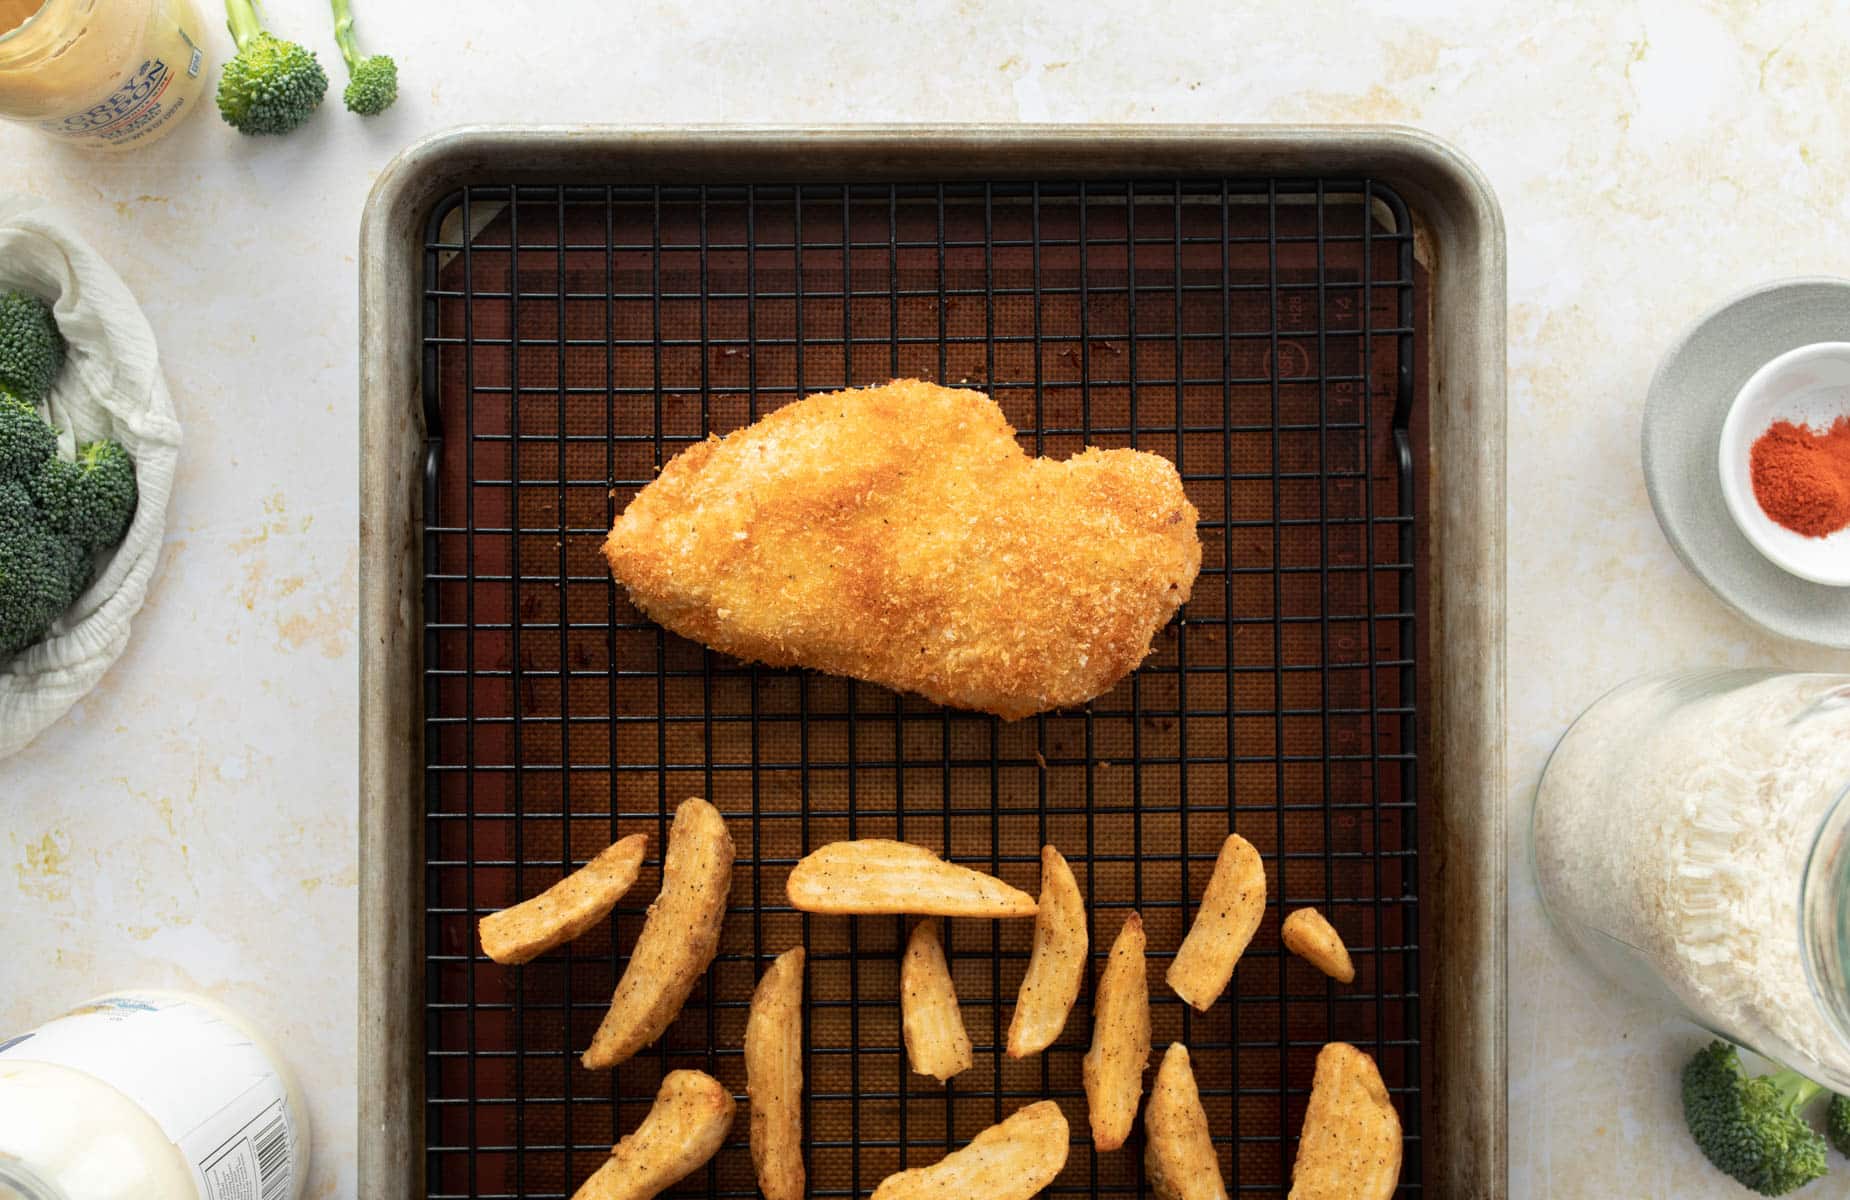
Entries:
{"x":902,"y":535}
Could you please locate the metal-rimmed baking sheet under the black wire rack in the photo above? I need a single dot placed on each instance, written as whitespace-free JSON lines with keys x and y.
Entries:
{"x":1437,"y":212}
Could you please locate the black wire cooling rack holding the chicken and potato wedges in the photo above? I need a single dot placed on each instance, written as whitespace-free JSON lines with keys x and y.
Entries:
{"x":1257,"y":332}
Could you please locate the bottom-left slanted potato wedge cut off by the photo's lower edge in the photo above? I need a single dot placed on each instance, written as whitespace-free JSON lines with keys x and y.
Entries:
{"x":685,"y":1127}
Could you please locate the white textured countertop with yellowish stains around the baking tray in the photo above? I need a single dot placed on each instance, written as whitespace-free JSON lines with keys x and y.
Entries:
{"x":193,"y":824}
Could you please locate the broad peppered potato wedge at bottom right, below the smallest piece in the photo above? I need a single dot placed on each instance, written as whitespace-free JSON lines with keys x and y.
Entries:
{"x":1351,"y":1142}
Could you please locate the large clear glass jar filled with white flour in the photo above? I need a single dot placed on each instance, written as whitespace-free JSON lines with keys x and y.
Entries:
{"x":1694,"y":844}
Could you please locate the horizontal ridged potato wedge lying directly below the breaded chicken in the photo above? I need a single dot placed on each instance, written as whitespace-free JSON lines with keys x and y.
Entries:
{"x":894,"y":877}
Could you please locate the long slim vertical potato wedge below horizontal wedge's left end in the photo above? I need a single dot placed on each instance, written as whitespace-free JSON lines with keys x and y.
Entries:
{"x":774,"y":1077}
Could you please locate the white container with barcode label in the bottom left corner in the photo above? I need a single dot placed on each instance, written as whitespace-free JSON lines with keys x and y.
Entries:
{"x":149,"y":1096}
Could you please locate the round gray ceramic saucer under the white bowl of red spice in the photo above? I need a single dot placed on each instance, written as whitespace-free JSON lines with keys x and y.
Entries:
{"x":1684,"y":411}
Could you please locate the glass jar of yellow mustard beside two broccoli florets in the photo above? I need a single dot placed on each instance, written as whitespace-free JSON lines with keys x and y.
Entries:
{"x":105,"y":75}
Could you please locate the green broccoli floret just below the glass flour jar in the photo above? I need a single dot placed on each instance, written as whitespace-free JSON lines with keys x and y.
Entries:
{"x":1751,"y":1127}
